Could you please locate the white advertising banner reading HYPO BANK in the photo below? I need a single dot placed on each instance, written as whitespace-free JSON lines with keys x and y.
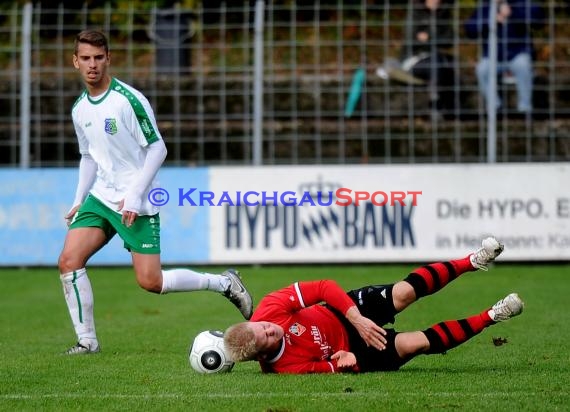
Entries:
{"x":377,"y":213}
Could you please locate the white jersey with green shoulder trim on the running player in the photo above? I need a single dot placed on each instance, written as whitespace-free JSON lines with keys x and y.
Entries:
{"x":114,"y":130}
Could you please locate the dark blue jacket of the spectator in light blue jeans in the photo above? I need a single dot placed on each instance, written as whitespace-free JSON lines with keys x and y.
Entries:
{"x":514,"y":36}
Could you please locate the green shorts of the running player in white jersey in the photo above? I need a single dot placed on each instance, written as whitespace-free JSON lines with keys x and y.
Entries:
{"x":142,"y":237}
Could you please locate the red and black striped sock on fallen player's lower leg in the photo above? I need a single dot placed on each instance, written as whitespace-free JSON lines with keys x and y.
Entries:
{"x":449,"y":334}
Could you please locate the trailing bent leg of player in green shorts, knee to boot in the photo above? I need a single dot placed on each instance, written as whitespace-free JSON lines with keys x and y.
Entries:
{"x":151,"y":277}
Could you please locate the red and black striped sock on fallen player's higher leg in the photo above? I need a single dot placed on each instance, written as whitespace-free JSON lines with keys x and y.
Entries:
{"x":430,"y":278}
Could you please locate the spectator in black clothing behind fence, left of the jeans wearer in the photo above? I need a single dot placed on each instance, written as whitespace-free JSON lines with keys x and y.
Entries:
{"x":426,"y":53}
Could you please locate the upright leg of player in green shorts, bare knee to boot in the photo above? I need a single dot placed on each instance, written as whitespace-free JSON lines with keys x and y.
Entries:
{"x":80,"y":244}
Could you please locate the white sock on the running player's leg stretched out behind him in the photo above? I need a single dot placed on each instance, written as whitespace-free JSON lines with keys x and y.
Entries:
{"x":186,"y":280}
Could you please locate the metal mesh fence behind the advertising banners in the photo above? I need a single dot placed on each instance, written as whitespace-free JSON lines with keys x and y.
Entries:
{"x":324,"y":99}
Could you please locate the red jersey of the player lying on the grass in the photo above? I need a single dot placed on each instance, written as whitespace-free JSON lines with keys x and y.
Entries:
{"x":312,"y":332}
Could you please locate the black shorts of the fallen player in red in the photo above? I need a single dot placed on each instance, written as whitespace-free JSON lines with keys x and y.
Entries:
{"x":375,"y":303}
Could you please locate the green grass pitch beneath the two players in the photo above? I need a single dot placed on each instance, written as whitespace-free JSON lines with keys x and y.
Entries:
{"x":145,"y":339}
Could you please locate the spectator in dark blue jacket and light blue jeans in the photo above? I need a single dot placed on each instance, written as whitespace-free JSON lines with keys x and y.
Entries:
{"x":515,"y":52}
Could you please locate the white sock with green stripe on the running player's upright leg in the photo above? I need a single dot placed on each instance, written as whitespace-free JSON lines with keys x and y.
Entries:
{"x":79,"y":298}
